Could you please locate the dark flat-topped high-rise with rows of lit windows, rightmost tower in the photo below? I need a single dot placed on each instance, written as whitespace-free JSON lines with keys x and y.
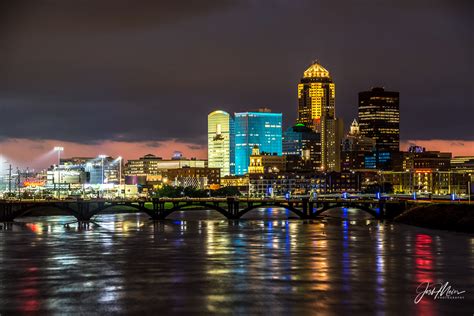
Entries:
{"x":379,"y":118}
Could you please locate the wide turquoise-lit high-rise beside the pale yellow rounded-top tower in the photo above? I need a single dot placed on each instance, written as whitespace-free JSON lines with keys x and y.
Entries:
{"x":262,"y":128}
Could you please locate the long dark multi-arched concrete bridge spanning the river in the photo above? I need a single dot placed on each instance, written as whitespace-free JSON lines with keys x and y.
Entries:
{"x":231,"y":208}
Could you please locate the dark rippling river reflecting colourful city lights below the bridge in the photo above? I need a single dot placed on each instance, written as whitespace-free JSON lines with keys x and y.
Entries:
{"x":200,"y":263}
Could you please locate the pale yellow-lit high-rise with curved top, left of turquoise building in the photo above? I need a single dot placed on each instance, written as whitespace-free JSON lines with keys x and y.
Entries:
{"x":220,"y":141}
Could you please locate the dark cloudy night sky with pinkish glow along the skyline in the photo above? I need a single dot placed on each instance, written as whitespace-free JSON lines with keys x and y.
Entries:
{"x":143,"y":75}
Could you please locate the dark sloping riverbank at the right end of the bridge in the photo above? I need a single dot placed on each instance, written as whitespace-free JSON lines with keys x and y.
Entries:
{"x":456,"y":217}
